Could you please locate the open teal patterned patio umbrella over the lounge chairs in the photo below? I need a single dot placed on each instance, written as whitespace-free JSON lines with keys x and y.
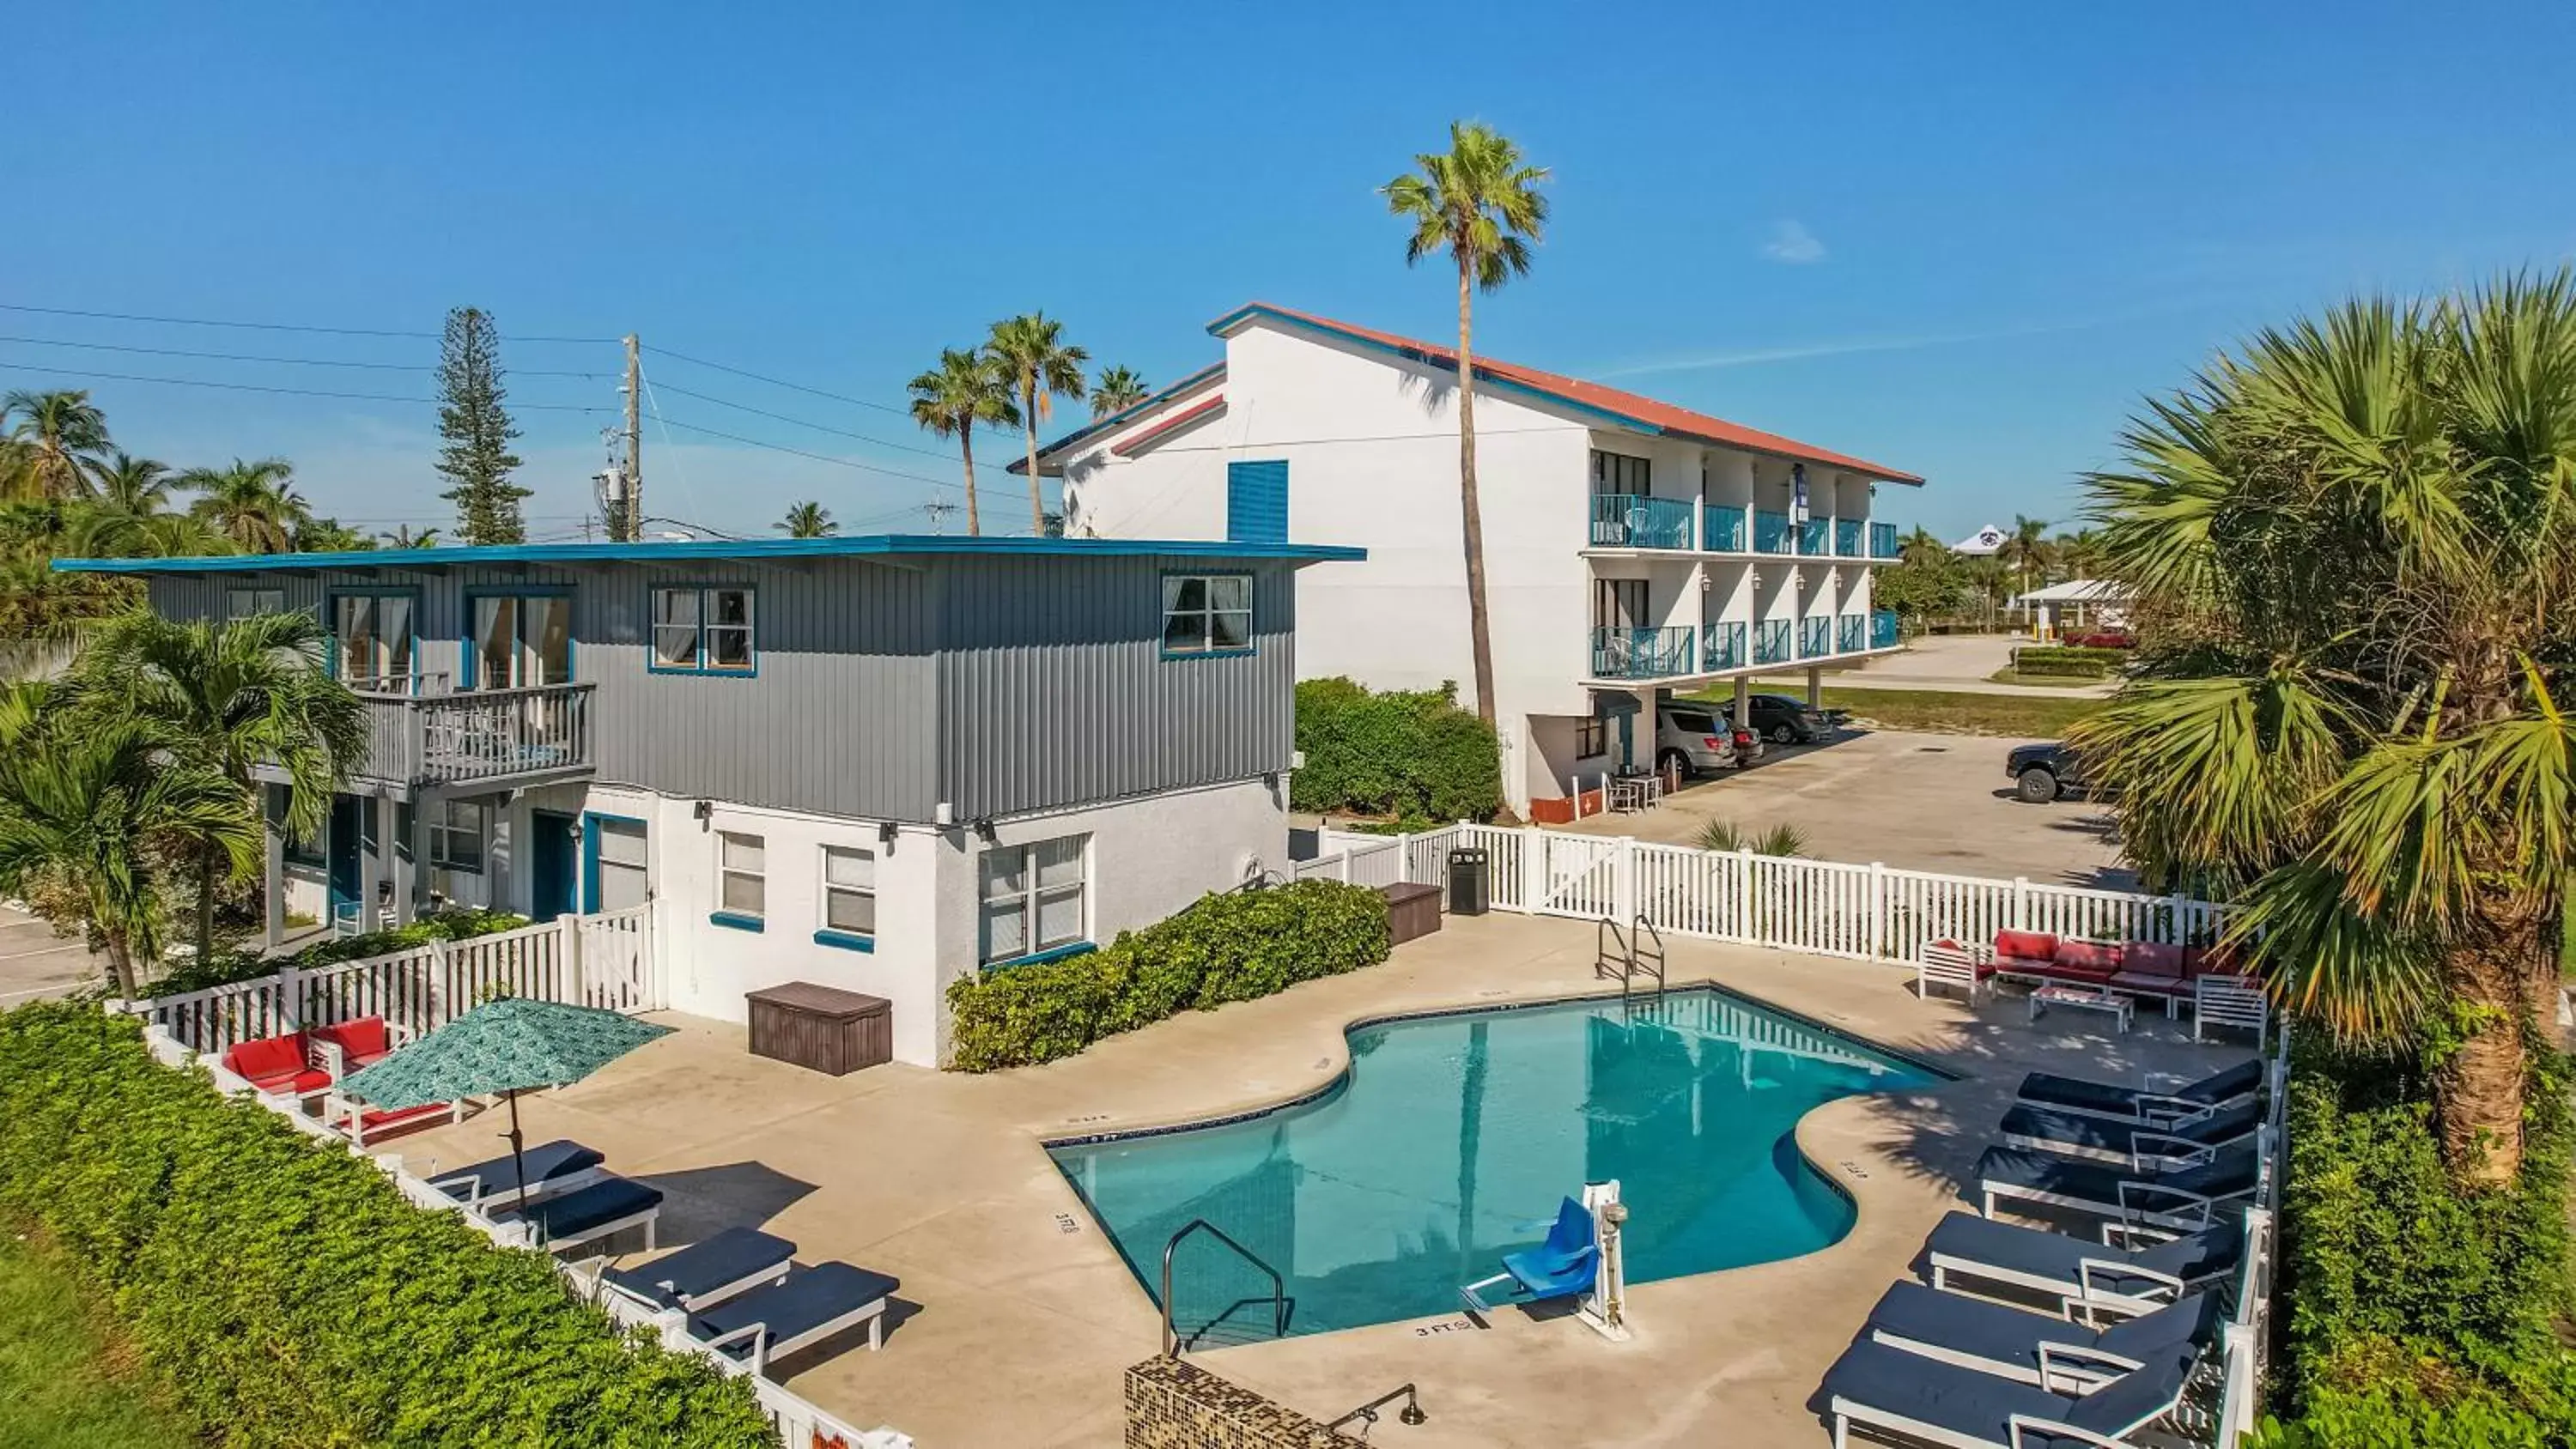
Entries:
{"x":504,"y":1046}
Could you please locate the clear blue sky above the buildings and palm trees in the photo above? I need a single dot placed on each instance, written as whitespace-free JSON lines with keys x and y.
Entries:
{"x":1954,"y":238}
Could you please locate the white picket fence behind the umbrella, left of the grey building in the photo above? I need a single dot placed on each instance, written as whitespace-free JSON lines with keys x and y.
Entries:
{"x":586,"y":961}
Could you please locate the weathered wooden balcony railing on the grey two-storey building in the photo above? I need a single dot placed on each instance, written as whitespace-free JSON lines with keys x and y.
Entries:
{"x":483,"y":735}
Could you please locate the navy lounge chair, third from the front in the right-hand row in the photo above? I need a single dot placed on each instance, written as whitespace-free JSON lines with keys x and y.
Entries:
{"x":2085,"y":1278}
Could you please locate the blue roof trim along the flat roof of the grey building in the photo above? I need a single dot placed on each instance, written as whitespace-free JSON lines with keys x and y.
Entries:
{"x":862,"y":547}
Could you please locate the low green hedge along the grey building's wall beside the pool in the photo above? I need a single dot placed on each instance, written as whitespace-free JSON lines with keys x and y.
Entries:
{"x":1225,"y":948}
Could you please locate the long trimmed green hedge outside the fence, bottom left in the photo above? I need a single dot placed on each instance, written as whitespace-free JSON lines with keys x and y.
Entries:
{"x":285,"y":1291}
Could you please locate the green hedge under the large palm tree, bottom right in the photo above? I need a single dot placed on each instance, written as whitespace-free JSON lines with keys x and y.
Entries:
{"x":2418,"y":1314}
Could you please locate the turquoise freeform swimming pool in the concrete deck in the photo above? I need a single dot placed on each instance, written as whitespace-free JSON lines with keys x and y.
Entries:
{"x":1454,"y":1139}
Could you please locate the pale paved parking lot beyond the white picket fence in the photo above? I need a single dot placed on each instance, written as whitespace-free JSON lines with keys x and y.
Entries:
{"x":1923,"y":802}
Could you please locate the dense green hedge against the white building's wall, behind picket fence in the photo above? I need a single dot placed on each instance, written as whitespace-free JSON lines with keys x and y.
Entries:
{"x":1405,"y":753}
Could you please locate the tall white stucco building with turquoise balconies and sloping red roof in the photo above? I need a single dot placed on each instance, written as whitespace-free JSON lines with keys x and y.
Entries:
{"x":1632,"y":547}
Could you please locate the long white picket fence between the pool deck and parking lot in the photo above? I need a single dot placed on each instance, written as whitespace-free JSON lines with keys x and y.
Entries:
{"x":1823,"y":907}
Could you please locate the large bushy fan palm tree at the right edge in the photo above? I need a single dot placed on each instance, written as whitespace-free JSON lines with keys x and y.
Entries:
{"x":2358,"y":529}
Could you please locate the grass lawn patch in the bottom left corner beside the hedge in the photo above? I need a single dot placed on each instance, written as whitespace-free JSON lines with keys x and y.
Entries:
{"x":61,"y":1381}
